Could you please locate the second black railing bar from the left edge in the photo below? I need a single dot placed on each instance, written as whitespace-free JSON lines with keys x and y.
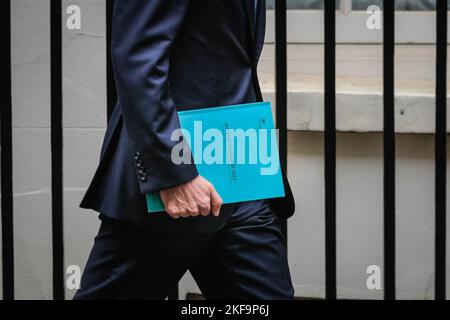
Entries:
{"x":57,"y":147}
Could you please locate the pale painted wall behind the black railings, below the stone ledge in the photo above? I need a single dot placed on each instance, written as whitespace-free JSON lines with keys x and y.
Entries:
{"x":359,"y":175}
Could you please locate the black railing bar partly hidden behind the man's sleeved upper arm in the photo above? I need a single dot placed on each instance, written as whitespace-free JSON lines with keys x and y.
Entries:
{"x":110,"y":82}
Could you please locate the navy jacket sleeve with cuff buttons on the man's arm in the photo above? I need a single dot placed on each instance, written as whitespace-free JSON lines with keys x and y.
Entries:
{"x":142,"y":36}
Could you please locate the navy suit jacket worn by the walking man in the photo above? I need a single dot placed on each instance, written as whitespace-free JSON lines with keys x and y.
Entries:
{"x":172,"y":55}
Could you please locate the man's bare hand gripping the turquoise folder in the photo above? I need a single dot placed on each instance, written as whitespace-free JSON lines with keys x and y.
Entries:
{"x":197,"y":197}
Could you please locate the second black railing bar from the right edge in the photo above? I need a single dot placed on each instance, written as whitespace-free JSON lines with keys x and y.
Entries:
{"x":389,"y":149}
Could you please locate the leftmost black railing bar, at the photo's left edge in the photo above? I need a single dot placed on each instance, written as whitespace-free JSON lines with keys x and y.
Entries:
{"x":6,"y":154}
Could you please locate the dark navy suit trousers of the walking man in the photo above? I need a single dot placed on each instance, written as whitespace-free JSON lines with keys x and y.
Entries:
{"x":246,"y":259}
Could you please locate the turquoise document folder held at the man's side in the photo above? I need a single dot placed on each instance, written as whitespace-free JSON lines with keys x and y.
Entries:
{"x":235,"y":148}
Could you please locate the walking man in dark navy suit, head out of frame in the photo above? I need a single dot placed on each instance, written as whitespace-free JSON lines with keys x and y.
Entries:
{"x":170,"y":56}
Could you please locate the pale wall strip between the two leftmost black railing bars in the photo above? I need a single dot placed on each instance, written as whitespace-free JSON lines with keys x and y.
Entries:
{"x":31,"y":149}
